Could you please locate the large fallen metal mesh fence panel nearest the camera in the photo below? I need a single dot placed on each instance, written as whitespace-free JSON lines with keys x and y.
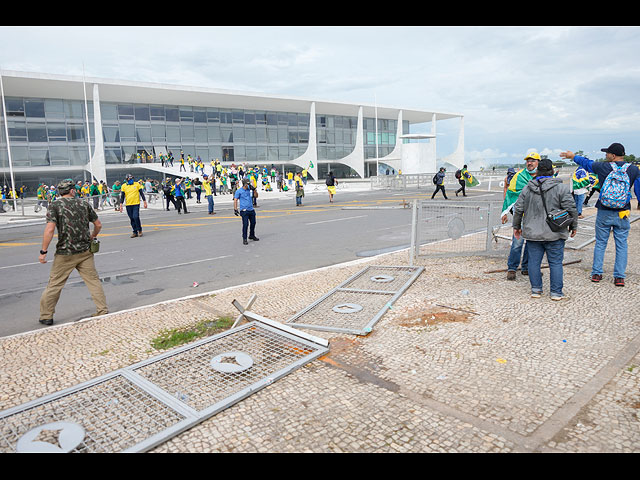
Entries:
{"x":138,"y":407}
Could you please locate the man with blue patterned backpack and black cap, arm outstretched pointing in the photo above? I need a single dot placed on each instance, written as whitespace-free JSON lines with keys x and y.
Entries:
{"x":615,"y":177}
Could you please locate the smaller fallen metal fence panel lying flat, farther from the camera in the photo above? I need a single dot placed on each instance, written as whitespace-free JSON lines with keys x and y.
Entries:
{"x":358,"y":303}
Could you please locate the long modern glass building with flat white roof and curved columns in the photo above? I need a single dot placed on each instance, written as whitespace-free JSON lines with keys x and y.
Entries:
{"x":56,"y":126}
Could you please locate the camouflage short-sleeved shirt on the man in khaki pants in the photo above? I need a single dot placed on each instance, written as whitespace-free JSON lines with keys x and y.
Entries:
{"x":72,"y":217}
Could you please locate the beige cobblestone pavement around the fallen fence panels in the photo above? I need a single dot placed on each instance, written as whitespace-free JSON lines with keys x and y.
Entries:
{"x":502,"y":373}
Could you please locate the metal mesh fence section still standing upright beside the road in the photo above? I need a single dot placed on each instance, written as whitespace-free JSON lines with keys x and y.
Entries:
{"x":452,"y":228}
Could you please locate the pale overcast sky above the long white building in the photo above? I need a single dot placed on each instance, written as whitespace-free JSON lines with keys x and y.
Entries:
{"x":519,"y":88}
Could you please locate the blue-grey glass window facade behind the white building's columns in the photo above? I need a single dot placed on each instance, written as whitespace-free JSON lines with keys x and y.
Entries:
{"x":53,"y":132}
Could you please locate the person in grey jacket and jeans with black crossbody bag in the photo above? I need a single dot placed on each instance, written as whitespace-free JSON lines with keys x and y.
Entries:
{"x":541,"y":195}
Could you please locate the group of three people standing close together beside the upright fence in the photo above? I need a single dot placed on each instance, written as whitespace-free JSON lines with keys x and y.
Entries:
{"x":546,"y":213}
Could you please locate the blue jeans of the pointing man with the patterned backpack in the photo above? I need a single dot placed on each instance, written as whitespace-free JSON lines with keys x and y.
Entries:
{"x":606,"y":221}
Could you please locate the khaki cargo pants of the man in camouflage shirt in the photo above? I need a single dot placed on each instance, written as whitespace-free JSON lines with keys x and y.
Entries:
{"x":62,"y":267}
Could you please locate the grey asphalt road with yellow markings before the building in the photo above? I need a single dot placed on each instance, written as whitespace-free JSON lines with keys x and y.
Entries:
{"x":178,"y":250}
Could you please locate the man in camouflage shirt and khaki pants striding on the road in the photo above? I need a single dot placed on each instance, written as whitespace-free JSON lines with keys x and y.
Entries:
{"x":71,"y":216}
